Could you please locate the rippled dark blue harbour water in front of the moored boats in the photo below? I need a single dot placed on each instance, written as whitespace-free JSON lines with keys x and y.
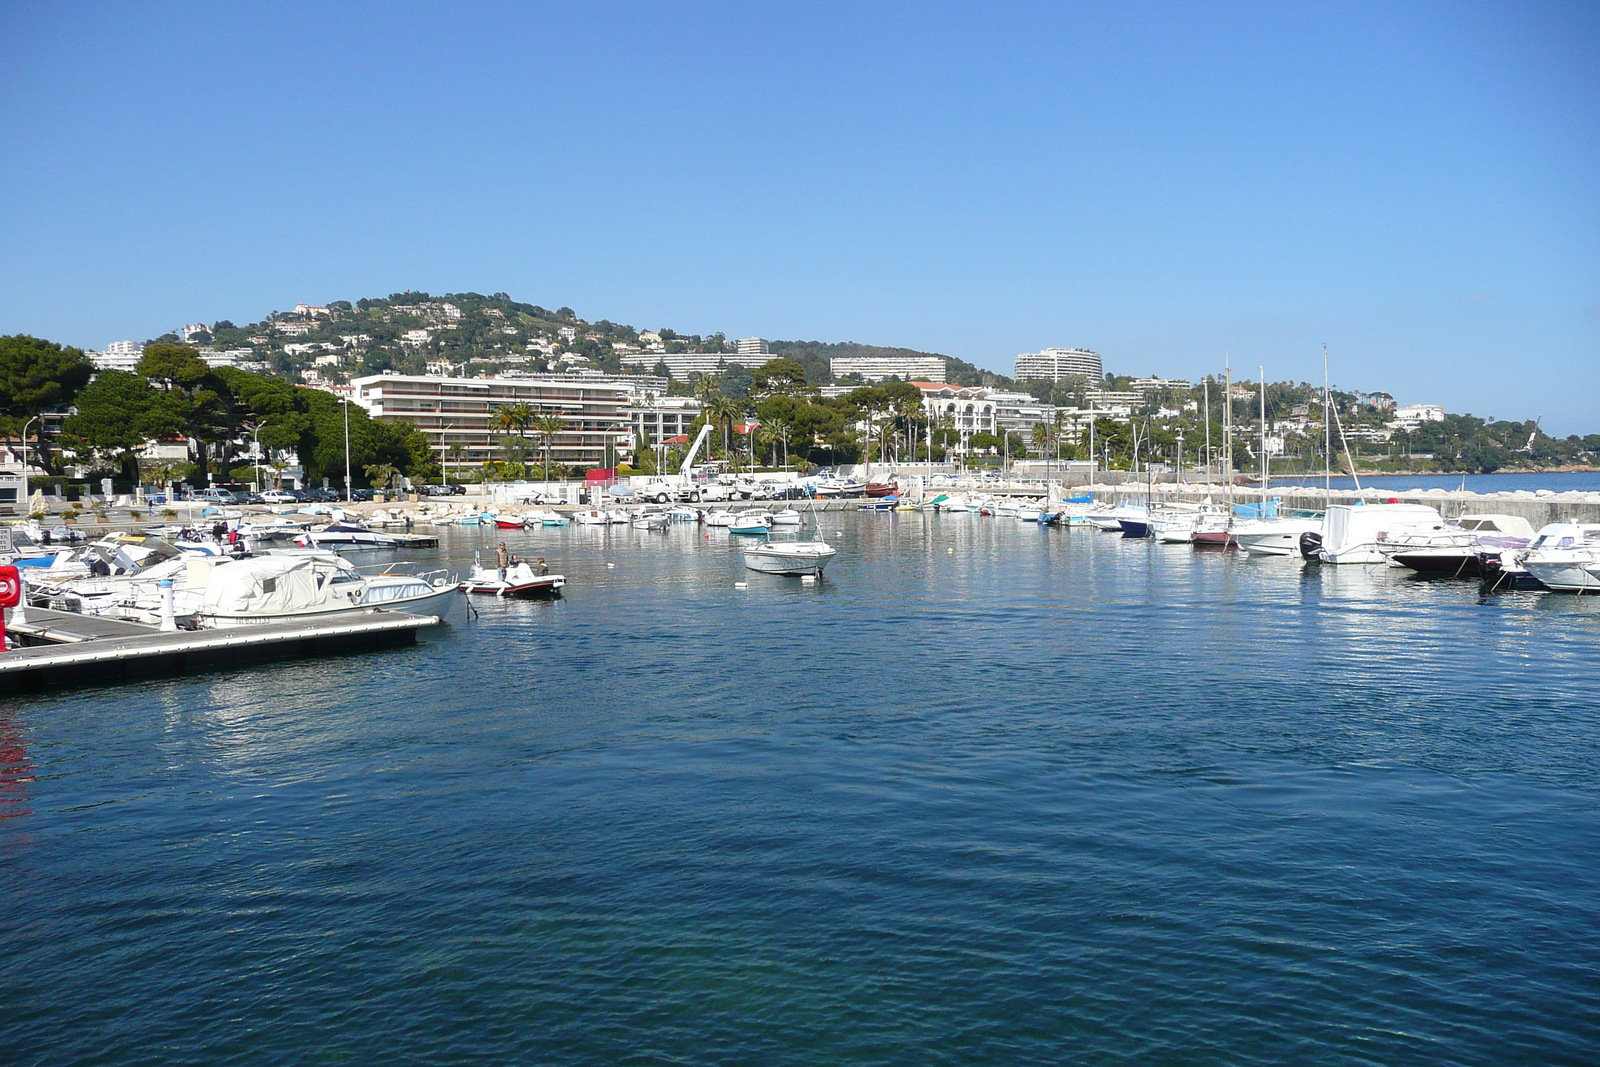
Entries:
{"x":988,"y":794}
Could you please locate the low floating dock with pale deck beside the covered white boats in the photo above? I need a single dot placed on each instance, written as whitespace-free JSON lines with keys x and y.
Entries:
{"x":74,"y":650}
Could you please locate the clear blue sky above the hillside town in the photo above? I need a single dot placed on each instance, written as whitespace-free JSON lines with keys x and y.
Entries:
{"x":1415,"y":185}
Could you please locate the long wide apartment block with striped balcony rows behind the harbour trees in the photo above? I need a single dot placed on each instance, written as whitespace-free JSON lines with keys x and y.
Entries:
{"x":460,"y":412}
